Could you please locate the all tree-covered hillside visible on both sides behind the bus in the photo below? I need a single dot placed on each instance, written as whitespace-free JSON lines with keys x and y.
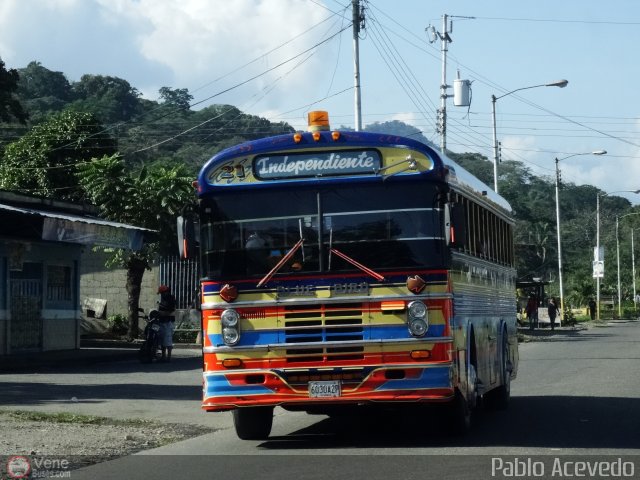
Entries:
{"x":101,"y":115}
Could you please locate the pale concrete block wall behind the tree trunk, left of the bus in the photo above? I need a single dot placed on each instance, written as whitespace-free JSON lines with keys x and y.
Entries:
{"x":110,"y":284}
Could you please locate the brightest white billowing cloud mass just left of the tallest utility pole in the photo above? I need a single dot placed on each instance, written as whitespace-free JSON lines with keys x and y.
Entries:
{"x":201,"y":41}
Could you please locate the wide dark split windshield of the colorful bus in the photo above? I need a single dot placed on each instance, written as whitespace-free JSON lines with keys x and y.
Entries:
{"x":389,"y":226}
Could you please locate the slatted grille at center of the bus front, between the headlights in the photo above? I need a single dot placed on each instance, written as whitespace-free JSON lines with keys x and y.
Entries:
{"x":323,"y":323}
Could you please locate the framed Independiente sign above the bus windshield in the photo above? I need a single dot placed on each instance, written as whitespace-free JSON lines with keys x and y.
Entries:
{"x":316,"y":164}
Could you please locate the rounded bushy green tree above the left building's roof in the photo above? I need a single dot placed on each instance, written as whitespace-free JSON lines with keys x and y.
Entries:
{"x":40,"y":163}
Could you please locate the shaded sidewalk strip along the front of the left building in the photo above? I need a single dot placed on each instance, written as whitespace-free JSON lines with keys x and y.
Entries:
{"x":91,"y":351}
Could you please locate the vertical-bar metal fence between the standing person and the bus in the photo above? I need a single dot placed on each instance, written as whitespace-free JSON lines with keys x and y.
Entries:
{"x":183,"y":278}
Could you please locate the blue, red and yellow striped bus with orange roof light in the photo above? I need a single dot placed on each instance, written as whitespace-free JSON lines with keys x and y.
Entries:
{"x":347,"y":269}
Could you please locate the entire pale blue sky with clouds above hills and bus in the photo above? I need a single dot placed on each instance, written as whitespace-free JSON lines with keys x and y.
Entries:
{"x":280,"y":59}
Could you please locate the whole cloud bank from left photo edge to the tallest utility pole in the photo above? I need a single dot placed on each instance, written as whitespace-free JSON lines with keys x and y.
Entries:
{"x":178,"y":43}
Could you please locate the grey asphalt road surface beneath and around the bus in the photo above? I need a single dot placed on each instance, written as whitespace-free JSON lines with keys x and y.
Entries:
{"x":577,"y":394}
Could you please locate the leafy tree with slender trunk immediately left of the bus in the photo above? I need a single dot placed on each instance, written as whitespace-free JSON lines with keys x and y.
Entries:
{"x":150,"y":198}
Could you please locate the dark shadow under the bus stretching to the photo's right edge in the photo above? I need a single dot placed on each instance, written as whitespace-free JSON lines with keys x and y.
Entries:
{"x":546,"y":422}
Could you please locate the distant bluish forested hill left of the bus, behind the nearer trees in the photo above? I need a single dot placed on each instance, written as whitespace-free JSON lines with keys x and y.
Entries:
{"x":143,"y":129}
